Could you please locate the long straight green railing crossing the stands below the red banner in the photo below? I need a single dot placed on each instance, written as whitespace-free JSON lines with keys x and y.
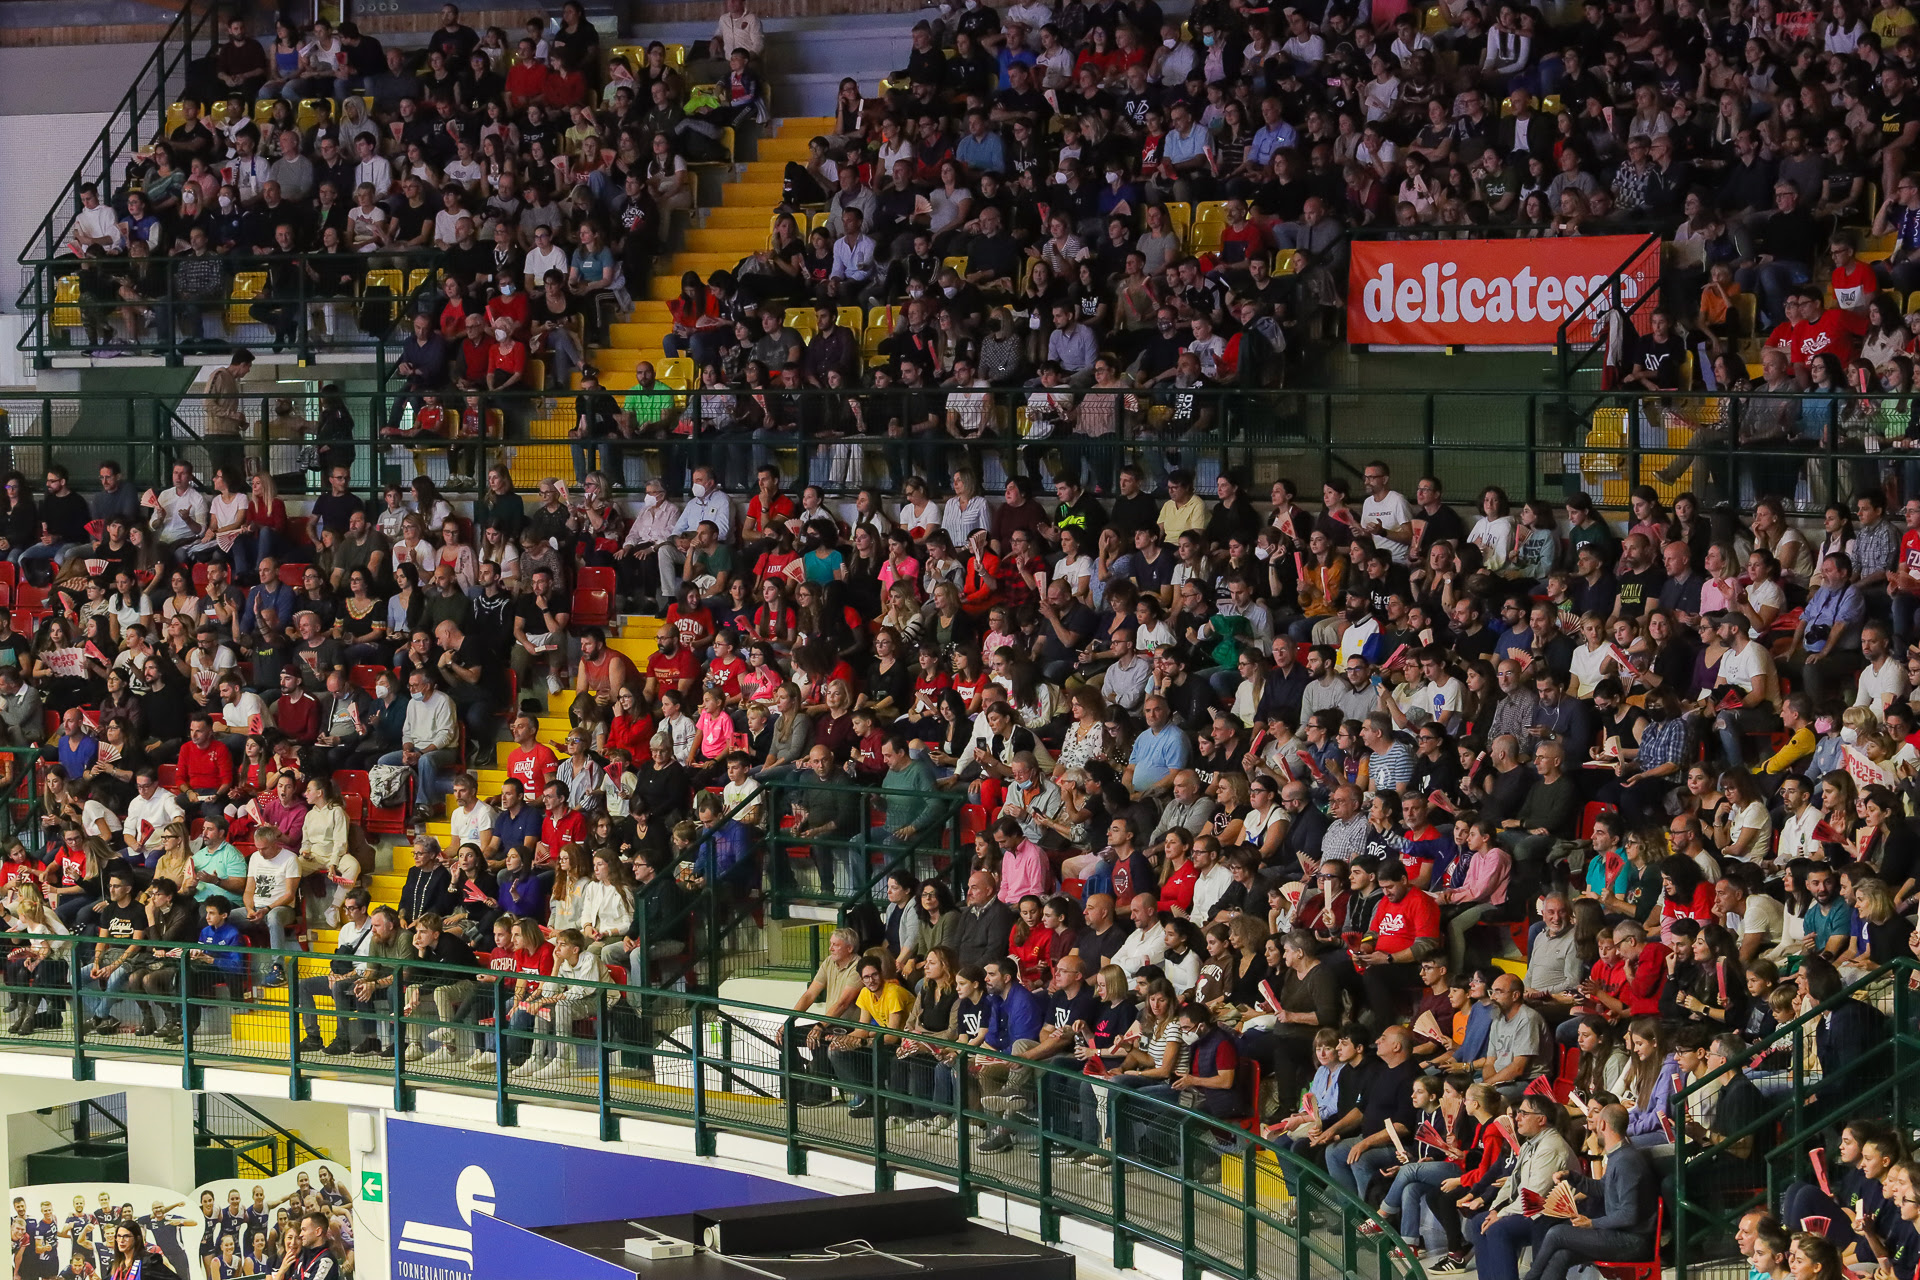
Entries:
{"x":1531,"y":444}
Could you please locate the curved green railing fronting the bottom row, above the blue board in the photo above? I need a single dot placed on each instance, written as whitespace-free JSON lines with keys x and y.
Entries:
{"x":1220,"y":1198}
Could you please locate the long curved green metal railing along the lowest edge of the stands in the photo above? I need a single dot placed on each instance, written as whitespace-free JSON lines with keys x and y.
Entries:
{"x":1236,"y":1227}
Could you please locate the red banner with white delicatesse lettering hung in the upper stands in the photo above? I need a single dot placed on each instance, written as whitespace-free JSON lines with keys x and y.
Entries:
{"x":1485,"y":293}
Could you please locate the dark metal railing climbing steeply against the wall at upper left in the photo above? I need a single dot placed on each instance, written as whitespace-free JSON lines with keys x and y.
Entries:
{"x":139,"y":118}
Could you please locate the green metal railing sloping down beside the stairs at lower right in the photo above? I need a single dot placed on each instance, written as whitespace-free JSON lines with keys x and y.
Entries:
{"x":1716,"y":1187}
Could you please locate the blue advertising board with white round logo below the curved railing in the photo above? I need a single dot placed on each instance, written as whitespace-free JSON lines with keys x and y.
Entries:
{"x":443,"y":1179}
